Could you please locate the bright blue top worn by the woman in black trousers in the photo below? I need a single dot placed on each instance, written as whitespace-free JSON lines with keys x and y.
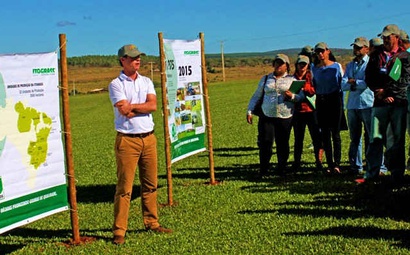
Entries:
{"x":327,"y":79}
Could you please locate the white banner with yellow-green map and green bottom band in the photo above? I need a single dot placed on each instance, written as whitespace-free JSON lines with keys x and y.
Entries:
{"x":32,"y":166}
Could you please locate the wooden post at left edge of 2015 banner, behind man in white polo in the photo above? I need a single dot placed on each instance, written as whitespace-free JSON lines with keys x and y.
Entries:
{"x":165,"y":117}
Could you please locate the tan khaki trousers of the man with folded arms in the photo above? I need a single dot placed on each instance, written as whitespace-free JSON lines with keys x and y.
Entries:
{"x":131,"y":152}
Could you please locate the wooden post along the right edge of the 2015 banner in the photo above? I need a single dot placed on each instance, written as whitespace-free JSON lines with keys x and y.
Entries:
{"x":207,"y":111}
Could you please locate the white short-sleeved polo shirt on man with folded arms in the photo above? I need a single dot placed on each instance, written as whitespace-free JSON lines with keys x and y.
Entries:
{"x":135,"y":92}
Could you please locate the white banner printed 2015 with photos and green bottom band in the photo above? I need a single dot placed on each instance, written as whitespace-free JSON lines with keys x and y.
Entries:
{"x":186,"y":118}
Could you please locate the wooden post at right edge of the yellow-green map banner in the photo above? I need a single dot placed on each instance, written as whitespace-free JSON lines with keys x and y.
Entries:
{"x":68,"y":144}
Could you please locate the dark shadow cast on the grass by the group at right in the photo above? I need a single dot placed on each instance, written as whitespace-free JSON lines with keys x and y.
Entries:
{"x":340,"y":197}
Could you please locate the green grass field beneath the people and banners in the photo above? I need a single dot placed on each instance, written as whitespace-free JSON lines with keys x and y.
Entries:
{"x":304,"y":213}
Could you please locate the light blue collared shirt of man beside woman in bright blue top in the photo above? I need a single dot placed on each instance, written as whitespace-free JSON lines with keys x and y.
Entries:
{"x":362,"y":97}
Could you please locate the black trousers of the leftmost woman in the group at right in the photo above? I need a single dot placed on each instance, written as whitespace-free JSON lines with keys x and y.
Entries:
{"x":269,"y":130}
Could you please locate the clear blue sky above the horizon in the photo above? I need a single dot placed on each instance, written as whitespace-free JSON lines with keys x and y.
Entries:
{"x":101,"y":27}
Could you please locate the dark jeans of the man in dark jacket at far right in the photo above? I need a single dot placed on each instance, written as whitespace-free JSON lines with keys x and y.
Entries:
{"x":382,"y":117}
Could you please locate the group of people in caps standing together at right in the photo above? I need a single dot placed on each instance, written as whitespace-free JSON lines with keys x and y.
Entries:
{"x":375,"y":85}
